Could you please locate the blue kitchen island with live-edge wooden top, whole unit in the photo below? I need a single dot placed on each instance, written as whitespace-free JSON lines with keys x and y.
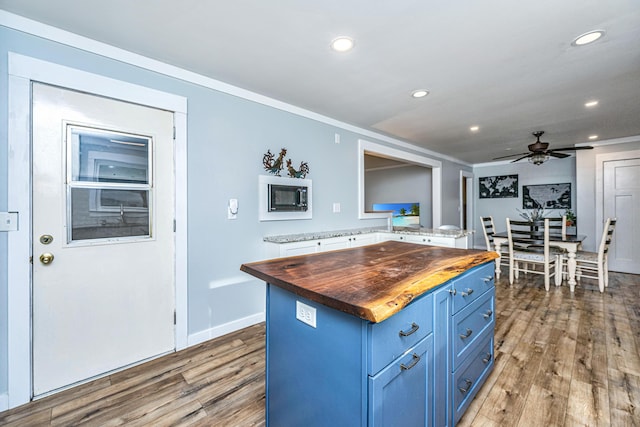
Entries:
{"x":380,"y":335}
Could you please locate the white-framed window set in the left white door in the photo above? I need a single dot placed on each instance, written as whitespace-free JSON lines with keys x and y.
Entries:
{"x":109,"y":185}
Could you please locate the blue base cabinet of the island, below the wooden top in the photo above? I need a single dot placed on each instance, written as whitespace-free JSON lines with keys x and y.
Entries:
{"x":403,"y":371}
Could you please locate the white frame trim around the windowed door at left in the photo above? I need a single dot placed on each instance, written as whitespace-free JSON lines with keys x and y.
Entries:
{"x":22,"y":71}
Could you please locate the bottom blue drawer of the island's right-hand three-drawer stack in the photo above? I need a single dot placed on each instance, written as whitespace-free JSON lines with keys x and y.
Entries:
{"x":470,"y":377}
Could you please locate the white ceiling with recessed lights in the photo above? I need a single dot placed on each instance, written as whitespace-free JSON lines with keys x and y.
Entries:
{"x":506,"y":66}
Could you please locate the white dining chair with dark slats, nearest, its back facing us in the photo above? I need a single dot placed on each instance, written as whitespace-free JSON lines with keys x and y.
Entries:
{"x":530,"y":252}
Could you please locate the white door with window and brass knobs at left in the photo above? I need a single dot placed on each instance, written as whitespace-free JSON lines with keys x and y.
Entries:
{"x":103,"y":241}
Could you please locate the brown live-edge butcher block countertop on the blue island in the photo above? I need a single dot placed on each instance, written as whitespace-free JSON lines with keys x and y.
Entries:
{"x":371,"y":282}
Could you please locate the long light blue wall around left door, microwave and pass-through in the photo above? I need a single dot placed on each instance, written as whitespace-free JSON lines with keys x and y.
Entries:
{"x":227,"y":137}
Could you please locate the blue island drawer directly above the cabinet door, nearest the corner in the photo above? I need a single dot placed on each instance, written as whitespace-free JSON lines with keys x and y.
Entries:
{"x":394,"y":336}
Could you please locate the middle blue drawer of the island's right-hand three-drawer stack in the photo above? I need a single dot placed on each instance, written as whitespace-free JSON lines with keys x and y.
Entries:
{"x":470,"y":324}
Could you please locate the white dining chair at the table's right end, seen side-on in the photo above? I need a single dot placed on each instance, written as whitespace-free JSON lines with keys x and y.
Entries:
{"x":594,"y":265}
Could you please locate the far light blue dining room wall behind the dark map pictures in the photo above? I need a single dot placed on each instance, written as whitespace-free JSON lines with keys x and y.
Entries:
{"x":554,"y":171}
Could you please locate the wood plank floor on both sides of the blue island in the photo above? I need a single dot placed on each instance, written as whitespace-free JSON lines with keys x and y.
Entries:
{"x":561,"y":359}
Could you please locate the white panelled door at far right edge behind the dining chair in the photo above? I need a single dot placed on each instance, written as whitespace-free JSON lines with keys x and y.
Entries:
{"x":621,"y":180}
